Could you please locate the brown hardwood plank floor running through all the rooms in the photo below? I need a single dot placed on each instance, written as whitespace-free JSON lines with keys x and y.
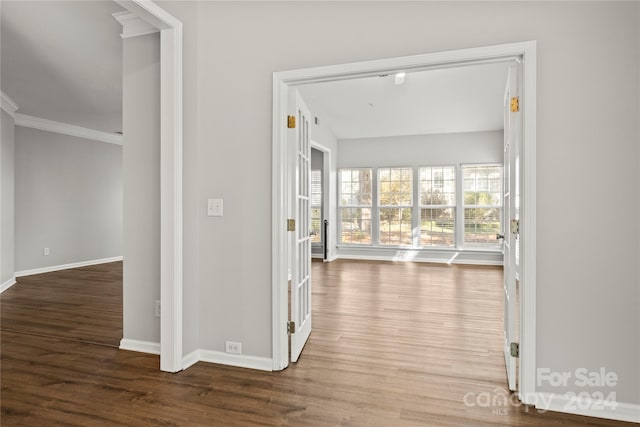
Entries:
{"x":393,"y":344}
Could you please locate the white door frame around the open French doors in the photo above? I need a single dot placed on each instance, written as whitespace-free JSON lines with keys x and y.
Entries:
{"x":282,"y":81}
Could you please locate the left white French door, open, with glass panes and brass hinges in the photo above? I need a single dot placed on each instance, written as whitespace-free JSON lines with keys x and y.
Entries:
{"x":301,"y":261}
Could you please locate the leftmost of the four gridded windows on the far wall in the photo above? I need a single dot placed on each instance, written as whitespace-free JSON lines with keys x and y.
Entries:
{"x":355,"y":206}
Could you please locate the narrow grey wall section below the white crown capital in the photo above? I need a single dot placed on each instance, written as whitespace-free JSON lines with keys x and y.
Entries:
{"x":141,"y":185}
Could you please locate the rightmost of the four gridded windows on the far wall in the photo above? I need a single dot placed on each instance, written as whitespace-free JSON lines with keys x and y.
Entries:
{"x":482,"y":199}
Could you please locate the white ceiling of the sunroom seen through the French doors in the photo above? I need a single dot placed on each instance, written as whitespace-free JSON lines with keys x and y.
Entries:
{"x":463,"y":99}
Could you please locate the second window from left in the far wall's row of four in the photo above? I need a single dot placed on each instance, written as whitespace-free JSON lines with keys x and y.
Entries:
{"x":395,"y":205}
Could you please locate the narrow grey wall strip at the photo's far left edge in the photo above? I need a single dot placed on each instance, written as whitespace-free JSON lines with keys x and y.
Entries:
{"x":7,"y":159}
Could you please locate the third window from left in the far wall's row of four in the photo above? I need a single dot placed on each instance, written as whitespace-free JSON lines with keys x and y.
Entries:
{"x":437,"y":206}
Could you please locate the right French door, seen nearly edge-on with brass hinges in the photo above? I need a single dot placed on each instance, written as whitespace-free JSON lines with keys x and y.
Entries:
{"x":511,"y":221}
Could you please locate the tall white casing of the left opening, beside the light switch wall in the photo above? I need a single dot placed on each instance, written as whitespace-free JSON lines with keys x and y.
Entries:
{"x":170,"y":177}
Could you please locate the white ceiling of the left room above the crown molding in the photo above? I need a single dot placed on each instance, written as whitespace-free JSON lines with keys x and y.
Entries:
{"x":62,"y":61}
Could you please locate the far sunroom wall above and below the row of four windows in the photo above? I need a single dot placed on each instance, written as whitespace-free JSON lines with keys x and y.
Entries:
{"x":416,"y":151}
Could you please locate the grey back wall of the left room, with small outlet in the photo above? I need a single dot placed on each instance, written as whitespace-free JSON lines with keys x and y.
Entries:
{"x":68,"y":198}
